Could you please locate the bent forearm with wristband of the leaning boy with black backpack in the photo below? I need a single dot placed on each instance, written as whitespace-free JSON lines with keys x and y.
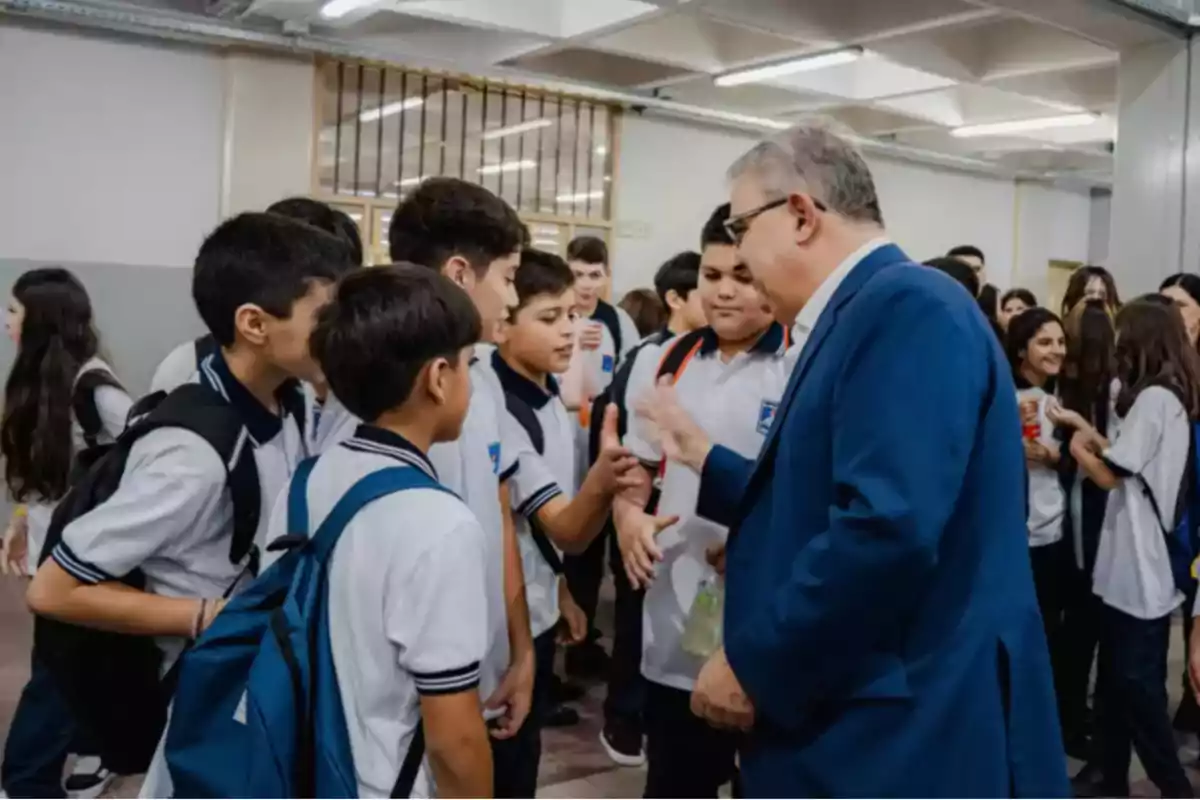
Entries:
{"x":109,"y":606}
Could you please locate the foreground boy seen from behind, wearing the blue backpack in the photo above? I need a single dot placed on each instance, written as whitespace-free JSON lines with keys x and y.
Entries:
{"x":409,"y":596}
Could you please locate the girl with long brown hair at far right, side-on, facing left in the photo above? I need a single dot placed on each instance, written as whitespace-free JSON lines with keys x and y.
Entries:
{"x":1145,"y":467}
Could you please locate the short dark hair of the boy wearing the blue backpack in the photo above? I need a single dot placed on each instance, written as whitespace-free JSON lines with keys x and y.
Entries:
{"x":383,"y":327}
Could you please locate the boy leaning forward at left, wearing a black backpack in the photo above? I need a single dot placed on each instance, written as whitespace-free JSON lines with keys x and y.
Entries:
{"x":259,"y":284}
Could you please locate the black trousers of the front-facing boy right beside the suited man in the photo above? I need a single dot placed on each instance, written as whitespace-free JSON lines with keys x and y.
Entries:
{"x":687,"y":757}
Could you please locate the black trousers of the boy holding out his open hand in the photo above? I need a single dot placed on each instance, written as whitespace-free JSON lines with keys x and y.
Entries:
{"x":515,"y":761}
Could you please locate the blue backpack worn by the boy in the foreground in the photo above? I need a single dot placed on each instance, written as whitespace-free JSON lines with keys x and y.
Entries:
{"x":259,"y":712}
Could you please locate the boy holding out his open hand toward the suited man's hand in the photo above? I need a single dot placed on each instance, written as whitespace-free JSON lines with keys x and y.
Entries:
{"x":550,"y":514}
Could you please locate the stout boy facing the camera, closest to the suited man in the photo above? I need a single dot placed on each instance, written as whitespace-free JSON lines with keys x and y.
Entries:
{"x":730,"y":376}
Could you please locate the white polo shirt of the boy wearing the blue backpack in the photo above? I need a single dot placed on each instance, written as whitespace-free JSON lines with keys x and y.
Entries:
{"x":409,"y":601}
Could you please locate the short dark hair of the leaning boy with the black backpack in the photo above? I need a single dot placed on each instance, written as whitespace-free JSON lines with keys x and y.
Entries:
{"x":266,"y":260}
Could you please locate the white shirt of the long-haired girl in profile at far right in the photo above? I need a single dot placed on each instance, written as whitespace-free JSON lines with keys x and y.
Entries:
{"x":1133,"y":569}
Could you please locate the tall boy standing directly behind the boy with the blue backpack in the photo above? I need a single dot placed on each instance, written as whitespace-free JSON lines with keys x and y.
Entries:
{"x":475,"y":238}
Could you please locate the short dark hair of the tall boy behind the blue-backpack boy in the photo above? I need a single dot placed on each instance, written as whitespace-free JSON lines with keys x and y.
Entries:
{"x":445,"y":218}
